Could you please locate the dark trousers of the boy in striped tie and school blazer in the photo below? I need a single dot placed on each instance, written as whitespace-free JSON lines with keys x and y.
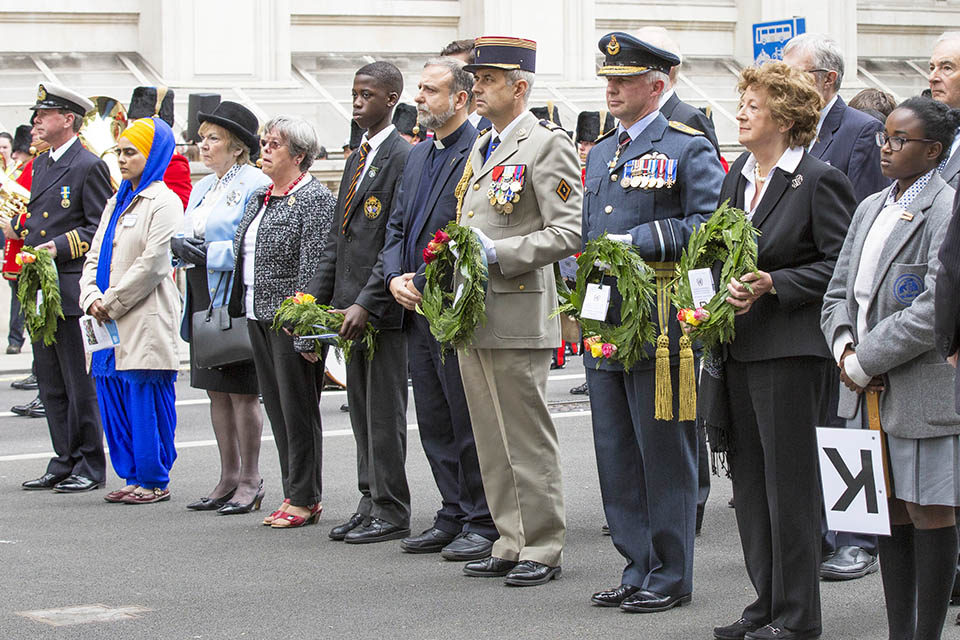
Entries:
{"x":377,"y":396}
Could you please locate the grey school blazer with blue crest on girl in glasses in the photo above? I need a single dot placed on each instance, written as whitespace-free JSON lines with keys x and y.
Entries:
{"x":918,"y":398}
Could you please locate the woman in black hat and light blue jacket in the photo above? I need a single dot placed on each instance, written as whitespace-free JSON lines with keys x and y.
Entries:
{"x":204,"y":248}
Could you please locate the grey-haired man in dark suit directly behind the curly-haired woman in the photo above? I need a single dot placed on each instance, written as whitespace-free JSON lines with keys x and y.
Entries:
{"x":846,"y":140}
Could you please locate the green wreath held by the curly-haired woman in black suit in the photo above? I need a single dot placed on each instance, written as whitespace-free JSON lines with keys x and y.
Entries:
{"x":727,"y":237}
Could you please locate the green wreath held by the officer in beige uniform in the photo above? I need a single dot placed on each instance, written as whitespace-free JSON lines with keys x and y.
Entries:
{"x":454,"y":319}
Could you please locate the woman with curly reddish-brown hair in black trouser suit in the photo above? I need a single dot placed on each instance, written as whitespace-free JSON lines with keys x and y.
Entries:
{"x":772,"y":372}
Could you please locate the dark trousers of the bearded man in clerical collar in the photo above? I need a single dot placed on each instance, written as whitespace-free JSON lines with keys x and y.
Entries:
{"x":446,"y":433}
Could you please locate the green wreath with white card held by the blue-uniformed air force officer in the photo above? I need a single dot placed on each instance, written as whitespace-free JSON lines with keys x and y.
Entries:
{"x":635,"y":282}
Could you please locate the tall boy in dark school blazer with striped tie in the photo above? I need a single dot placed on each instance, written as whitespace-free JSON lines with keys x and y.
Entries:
{"x":376,"y":389}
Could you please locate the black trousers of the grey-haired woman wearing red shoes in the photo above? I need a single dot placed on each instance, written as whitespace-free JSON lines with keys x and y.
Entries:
{"x":290,"y":387}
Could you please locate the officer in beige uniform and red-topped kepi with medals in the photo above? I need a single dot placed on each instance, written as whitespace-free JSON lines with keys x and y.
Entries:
{"x":523,"y":199}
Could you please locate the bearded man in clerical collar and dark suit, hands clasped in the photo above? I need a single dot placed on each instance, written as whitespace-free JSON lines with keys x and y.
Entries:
{"x":463,"y":528}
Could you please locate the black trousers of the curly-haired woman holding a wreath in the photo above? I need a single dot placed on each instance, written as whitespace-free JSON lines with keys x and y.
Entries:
{"x":774,"y":409}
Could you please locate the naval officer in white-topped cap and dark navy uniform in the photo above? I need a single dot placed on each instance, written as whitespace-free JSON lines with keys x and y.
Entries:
{"x":70,"y":188}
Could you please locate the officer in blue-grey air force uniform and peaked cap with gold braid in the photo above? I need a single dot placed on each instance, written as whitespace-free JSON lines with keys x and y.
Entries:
{"x":647,"y":183}
